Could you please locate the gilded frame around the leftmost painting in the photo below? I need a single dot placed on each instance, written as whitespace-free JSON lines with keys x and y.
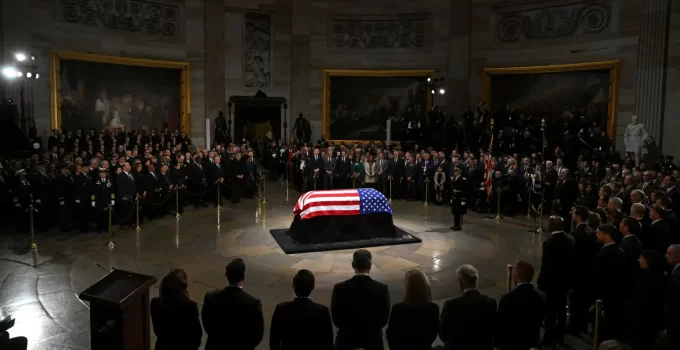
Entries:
{"x":55,"y":95}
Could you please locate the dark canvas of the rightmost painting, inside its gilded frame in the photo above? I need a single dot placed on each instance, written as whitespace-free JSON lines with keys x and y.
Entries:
{"x":554,"y":96}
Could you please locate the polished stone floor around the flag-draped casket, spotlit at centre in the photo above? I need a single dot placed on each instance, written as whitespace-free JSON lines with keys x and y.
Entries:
{"x":39,"y":288}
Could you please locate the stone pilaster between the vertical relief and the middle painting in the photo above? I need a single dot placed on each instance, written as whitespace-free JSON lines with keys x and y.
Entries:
{"x":300,"y":52}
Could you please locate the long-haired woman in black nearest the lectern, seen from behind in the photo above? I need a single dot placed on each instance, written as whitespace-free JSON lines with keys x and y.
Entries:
{"x":174,"y":315}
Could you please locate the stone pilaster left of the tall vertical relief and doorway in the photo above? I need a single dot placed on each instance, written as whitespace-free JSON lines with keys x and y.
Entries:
{"x":214,"y":60}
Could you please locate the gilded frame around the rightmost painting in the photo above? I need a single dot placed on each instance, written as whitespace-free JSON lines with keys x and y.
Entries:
{"x":613,"y":67}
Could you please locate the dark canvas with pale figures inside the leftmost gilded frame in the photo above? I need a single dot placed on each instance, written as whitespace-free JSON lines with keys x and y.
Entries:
{"x":111,"y":96}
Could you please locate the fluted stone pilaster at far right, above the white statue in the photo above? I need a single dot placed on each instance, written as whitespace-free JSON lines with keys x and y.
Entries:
{"x":651,"y":68}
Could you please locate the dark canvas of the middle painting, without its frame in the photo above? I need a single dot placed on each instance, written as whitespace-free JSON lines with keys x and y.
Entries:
{"x":360,"y":106}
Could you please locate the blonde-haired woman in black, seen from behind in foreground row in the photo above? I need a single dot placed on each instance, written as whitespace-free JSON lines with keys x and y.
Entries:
{"x":414,"y":322}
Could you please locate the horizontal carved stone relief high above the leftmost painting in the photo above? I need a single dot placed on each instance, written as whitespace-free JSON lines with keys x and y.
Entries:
{"x":138,"y":16}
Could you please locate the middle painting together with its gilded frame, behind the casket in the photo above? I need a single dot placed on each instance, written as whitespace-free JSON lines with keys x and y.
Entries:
{"x":356,"y":104}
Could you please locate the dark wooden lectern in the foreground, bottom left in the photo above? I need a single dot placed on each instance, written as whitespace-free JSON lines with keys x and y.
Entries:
{"x":119,"y":311}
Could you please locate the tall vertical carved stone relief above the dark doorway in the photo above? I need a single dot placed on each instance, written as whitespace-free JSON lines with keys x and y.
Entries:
{"x":257,"y":43}
